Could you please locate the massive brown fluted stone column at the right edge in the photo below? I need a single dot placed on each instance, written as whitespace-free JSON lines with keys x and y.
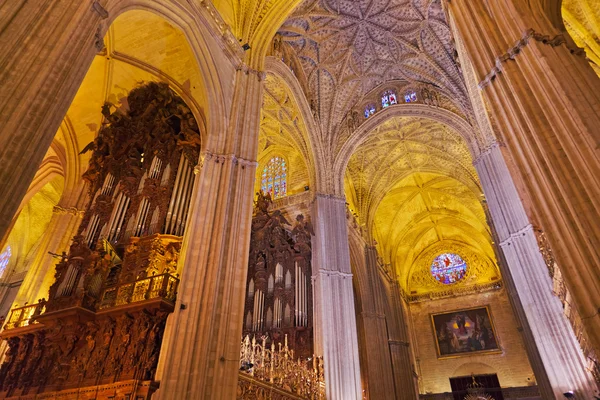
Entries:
{"x":545,"y":101}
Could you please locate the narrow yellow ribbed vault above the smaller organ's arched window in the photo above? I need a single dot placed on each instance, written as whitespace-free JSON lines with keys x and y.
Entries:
{"x":283,"y":133}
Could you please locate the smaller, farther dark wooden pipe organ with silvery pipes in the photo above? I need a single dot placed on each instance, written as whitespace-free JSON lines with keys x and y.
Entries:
{"x":279,"y":290}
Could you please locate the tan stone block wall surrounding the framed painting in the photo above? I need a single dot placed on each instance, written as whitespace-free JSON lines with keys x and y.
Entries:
{"x":512,"y":365}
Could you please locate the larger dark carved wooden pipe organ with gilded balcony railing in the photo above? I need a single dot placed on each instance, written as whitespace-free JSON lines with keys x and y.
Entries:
{"x":100,"y":330}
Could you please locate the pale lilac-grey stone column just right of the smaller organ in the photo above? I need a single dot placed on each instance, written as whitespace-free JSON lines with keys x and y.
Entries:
{"x":334,"y":314}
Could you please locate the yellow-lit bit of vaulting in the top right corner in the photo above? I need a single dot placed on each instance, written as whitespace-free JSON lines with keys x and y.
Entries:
{"x":582,"y":20}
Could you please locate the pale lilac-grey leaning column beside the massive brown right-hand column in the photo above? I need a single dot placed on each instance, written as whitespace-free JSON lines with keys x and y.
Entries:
{"x":557,"y":358}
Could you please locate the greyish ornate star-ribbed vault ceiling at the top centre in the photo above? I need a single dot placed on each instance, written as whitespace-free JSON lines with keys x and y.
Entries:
{"x":347,"y":48}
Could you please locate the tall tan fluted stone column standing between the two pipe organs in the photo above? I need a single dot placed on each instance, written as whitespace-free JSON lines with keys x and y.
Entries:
{"x":200,"y":353}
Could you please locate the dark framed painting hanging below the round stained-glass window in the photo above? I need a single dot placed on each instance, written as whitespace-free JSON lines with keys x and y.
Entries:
{"x":464,"y":332}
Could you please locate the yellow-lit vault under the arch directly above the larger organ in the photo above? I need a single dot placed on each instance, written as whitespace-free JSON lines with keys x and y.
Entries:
{"x":140,"y":47}
